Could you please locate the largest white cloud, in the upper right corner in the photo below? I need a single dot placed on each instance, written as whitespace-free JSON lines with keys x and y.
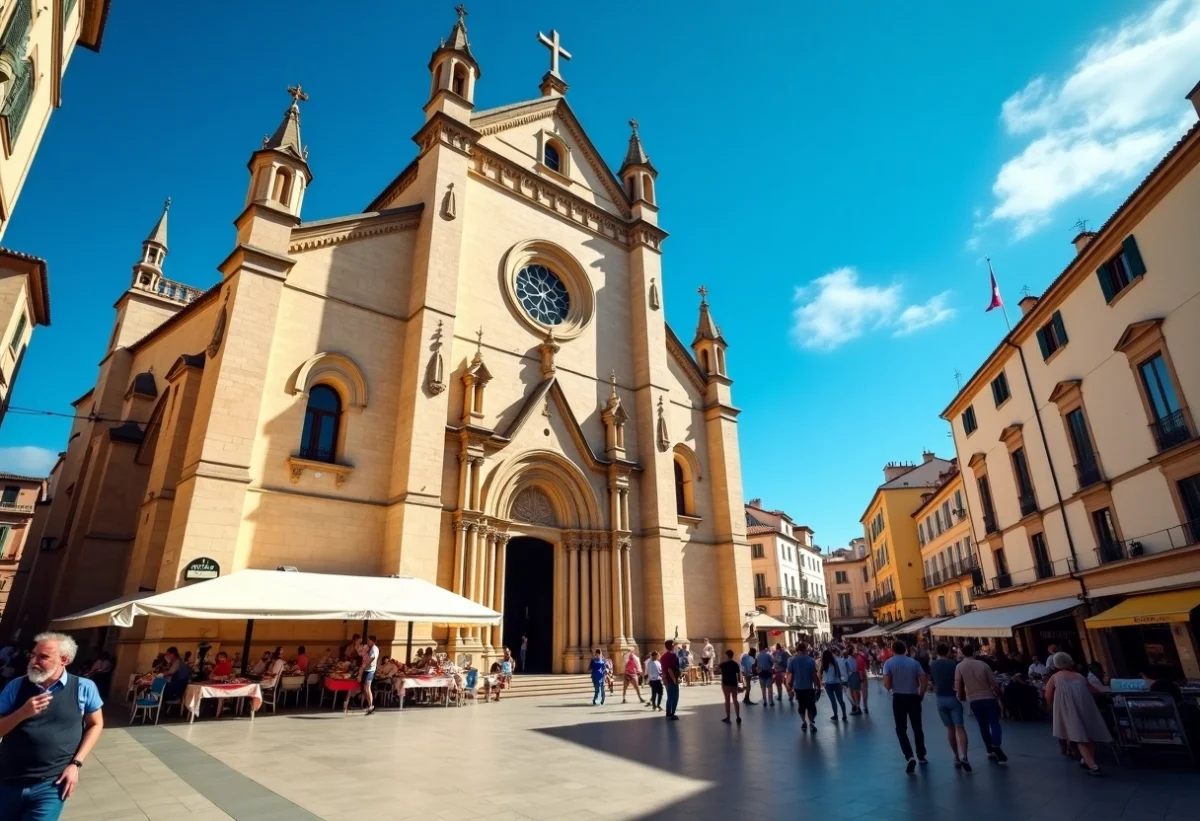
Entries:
{"x":1119,"y":110}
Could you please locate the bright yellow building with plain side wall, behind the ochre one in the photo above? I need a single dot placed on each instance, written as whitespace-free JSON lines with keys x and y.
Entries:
{"x":891,"y":534}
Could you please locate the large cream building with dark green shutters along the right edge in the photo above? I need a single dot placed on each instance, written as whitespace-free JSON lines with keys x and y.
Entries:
{"x":1078,"y":439}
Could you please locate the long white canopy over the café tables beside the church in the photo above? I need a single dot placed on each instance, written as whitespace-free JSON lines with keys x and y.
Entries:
{"x":290,"y":596}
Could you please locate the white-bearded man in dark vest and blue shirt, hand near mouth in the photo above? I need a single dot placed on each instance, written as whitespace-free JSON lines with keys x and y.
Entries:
{"x":50,"y":721}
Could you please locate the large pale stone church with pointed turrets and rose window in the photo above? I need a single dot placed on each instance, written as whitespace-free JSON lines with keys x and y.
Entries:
{"x":472,"y":382}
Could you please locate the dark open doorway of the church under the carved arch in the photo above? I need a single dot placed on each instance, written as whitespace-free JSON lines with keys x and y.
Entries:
{"x":530,"y":602}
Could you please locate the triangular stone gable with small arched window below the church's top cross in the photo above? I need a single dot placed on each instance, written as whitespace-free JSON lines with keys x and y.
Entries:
{"x":517,"y":133}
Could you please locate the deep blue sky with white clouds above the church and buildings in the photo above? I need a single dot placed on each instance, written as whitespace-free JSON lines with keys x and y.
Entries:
{"x":835,"y":173}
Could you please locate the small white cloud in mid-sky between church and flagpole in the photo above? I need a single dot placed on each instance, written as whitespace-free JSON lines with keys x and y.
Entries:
{"x":836,"y":309}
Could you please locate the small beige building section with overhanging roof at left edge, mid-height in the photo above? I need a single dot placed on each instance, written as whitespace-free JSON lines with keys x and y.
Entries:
{"x":25,"y":303}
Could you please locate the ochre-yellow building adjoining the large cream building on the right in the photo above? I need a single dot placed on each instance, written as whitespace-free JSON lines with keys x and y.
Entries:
{"x":947,"y":550}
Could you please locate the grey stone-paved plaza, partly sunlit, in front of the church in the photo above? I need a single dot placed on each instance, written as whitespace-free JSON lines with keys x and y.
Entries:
{"x":563,"y":759}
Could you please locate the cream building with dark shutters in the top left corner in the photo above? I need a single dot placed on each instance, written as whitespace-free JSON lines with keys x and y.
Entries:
{"x":37,"y":44}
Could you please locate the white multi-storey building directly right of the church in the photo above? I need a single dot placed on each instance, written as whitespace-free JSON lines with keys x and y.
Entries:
{"x":789,"y":580}
